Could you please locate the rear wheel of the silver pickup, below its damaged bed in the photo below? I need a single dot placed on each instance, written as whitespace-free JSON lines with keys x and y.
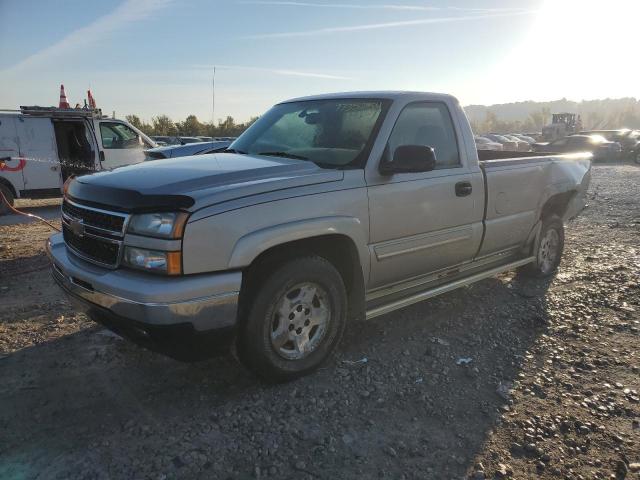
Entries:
{"x":548,"y":250}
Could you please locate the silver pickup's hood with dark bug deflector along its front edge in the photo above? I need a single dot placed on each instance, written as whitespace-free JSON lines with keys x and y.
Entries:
{"x":193,"y":182}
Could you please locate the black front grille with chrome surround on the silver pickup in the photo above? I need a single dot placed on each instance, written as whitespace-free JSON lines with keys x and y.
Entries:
{"x":93,"y":234}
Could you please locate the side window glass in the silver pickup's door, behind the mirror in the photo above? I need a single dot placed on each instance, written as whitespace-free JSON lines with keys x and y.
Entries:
{"x":427,"y":124}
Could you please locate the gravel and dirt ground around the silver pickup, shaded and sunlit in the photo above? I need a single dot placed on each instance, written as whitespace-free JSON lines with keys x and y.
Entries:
{"x":508,"y":378}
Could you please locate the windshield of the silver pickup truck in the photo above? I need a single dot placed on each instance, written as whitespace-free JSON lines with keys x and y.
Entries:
{"x":332,"y":133}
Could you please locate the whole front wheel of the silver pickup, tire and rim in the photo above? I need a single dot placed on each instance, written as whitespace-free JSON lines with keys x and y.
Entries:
{"x":295,"y":319}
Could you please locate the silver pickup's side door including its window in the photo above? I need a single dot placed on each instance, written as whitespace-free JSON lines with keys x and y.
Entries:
{"x":424,"y":222}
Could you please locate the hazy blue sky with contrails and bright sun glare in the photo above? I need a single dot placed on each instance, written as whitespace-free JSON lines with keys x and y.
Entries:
{"x":152,"y":57}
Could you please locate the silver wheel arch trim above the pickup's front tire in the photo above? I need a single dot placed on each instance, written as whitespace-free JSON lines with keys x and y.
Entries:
{"x":248,"y":247}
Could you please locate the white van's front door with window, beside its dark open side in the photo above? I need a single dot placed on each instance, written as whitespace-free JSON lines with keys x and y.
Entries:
{"x":120,"y":145}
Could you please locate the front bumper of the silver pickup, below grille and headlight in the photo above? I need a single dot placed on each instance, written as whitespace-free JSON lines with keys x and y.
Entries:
{"x":205,"y":301}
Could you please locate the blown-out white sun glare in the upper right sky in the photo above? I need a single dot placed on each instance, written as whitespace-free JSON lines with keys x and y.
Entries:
{"x":579,"y":49}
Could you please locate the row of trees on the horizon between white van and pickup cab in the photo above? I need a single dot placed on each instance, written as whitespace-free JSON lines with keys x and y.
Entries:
{"x":190,"y":127}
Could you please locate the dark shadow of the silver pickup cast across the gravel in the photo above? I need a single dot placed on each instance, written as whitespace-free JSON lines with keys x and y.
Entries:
{"x":414,"y":393}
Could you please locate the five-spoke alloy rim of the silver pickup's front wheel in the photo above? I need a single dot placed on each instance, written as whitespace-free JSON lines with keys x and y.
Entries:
{"x":300,"y":321}
